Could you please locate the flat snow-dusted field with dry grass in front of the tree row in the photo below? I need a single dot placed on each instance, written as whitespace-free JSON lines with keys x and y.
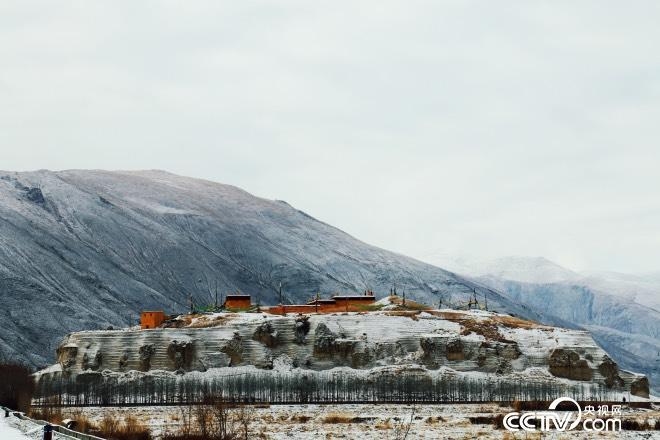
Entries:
{"x":370,"y":422}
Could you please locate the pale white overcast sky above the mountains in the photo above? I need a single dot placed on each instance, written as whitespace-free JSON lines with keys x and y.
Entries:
{"x":479,"y":127}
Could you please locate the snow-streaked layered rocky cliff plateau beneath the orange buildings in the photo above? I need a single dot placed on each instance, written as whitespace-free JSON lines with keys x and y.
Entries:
{"x":425,"y":342}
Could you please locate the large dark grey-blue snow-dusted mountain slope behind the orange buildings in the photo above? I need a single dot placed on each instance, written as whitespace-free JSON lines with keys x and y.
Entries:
{"x":90,"y":249}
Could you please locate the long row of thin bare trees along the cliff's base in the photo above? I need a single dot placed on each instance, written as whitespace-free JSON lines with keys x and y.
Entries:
{"x":309,"y":387}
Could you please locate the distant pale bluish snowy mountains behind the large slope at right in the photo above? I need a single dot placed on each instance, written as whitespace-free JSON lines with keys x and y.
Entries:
{"x":620,"y":310}
